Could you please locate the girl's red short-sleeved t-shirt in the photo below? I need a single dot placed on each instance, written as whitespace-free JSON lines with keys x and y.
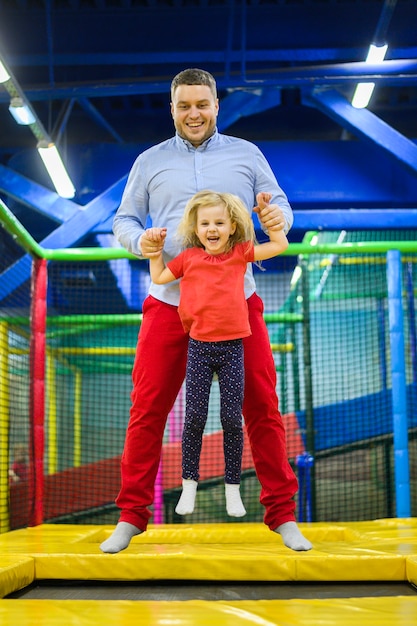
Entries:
{"x":212,"y":298}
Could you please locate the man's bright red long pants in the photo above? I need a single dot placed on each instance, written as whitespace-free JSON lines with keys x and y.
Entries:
{"x":158,"y":374}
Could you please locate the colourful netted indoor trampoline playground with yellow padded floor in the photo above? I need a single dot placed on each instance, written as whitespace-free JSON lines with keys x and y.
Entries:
{"x":340,"y":309}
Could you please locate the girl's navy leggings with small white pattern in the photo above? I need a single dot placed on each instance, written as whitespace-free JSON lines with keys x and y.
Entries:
{"x":225,"y":358}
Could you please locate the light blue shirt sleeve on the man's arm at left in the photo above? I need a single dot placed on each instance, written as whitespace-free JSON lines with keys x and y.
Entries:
{"x":130,"y":220}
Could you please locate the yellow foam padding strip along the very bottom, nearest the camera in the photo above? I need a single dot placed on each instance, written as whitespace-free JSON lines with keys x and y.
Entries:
{"x":395,"y":611}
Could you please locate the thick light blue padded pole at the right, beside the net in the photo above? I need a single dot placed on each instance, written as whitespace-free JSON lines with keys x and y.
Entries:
{"x":399,"y":387}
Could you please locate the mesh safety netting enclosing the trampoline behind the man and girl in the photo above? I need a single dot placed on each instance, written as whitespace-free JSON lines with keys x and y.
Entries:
{"x":328,"y":319}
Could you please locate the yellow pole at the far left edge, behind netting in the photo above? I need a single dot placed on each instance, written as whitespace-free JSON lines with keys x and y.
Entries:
{"x":4,"y":428}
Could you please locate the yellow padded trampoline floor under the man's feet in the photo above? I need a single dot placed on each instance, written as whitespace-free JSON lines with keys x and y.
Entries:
{"x":226,"y":555}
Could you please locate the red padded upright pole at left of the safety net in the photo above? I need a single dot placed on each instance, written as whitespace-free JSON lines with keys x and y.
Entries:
{"x":39,"y":281}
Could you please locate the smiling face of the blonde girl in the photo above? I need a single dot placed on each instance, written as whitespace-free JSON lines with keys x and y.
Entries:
{"x":214,"y":228}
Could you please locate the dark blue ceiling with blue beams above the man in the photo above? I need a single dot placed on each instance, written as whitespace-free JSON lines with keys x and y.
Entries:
{"x":97,"y":73}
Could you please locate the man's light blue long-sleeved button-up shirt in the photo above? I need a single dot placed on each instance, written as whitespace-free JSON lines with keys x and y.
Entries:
{"x":164,"y":177}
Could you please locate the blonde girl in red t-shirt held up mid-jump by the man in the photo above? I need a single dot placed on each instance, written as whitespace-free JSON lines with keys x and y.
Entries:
{"x":218,"y":238}
